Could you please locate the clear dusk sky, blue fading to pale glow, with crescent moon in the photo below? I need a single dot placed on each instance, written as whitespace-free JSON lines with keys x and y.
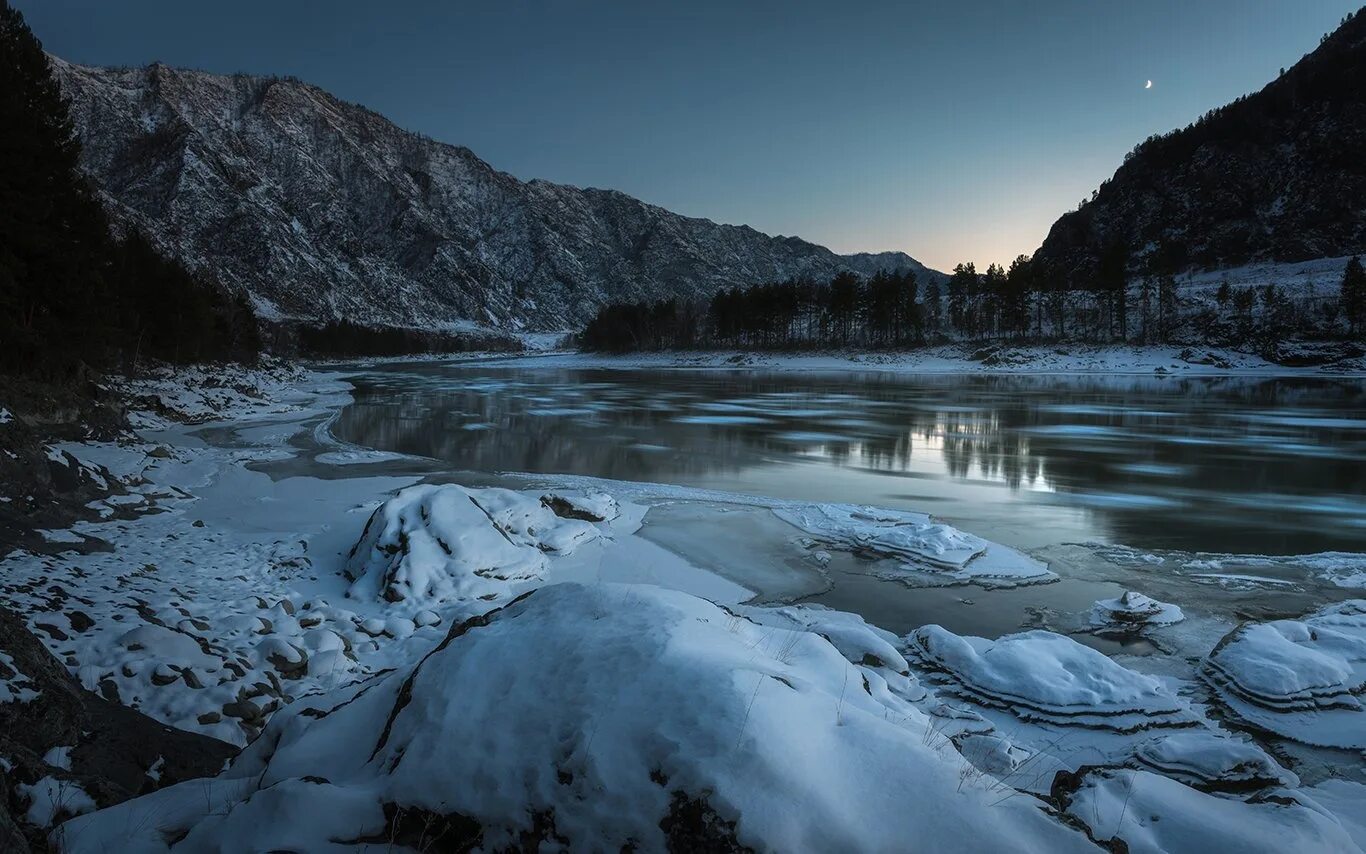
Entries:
{"x":953,"y":132}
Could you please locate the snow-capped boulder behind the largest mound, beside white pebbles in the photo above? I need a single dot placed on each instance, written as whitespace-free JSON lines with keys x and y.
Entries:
{"x":430,"y":545}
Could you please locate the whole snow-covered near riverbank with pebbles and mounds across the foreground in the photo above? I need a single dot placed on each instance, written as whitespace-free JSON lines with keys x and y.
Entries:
{"x":417,"y":665}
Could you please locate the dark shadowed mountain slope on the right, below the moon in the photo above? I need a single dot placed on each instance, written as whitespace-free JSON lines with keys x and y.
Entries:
{"x":1278,"y":176}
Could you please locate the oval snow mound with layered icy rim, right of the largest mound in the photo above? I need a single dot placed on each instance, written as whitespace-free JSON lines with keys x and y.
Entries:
{"x":1047,"y":677}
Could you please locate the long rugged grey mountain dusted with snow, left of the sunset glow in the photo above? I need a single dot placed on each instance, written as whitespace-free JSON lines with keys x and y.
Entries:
{"x":323,"y":210}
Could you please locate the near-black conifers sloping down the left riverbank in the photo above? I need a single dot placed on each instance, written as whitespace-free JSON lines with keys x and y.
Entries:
{"x":72,"y":292}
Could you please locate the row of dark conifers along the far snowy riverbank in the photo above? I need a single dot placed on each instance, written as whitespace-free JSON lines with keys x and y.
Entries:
{"x":1017,"y":304}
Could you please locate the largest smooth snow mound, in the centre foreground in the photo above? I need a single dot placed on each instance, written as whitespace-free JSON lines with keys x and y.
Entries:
{"x":596,"y":718}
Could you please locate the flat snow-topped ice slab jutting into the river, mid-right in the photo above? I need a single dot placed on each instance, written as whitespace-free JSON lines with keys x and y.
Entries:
{"x":934,"y":551}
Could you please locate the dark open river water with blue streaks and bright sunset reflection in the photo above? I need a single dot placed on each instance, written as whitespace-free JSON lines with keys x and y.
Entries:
{"x":1236,"y":465}
